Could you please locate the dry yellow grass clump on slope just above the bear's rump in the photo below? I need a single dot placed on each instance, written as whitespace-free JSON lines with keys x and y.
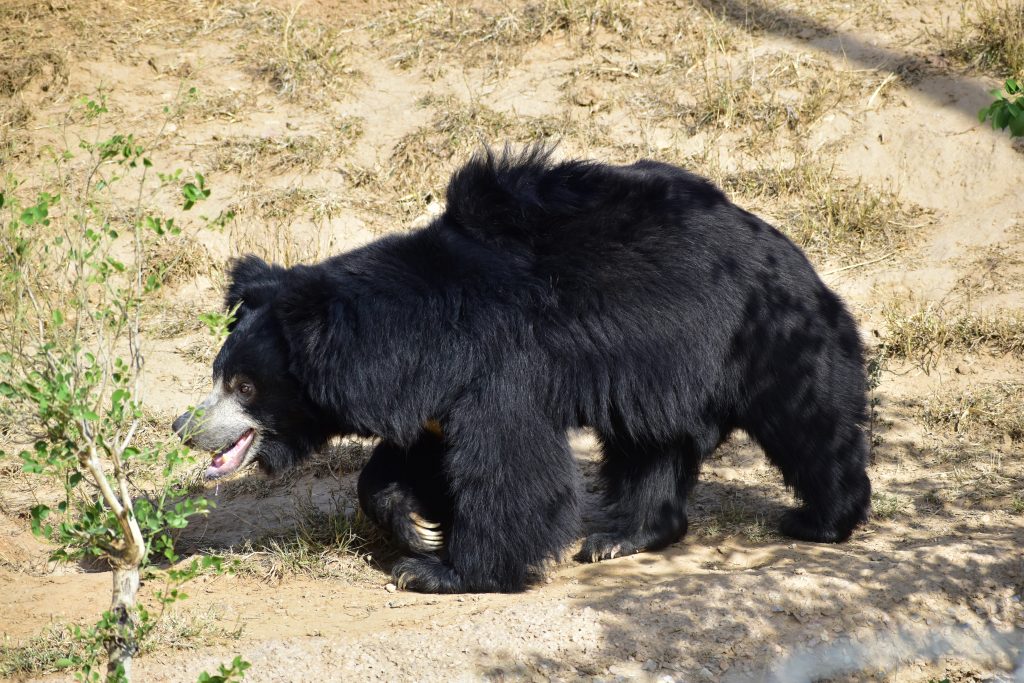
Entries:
{"x":830,"y":217}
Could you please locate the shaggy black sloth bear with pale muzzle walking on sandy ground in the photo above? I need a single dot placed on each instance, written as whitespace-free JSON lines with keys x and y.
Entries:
{"x":635,"y":301}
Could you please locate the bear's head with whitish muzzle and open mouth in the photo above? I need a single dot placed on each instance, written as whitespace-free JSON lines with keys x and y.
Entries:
{"x":259,"y":411}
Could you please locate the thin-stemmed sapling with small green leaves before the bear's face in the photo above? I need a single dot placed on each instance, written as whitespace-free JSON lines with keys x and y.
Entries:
{"x":72,"y":359}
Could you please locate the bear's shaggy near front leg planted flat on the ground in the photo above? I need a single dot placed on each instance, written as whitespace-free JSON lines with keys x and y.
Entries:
{"x":514,"y":484}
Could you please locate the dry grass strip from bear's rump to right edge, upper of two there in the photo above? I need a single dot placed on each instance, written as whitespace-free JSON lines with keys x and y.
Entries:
{"x":923,"y":332}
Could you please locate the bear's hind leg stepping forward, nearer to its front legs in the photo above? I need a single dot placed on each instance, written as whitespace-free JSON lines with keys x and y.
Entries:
{"x":646,"y":491}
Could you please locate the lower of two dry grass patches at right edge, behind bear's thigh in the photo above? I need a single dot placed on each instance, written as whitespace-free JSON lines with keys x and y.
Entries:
{"x":991,"y":412}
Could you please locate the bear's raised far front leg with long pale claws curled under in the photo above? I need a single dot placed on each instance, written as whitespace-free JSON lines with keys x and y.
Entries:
{"x":404,"y":492}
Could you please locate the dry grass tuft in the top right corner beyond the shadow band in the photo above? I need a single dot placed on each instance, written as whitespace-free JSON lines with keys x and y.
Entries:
{"x":992,"y":38}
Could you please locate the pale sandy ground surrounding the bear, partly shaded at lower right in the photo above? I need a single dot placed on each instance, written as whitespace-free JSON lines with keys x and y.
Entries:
{"x":930,"y":590}
